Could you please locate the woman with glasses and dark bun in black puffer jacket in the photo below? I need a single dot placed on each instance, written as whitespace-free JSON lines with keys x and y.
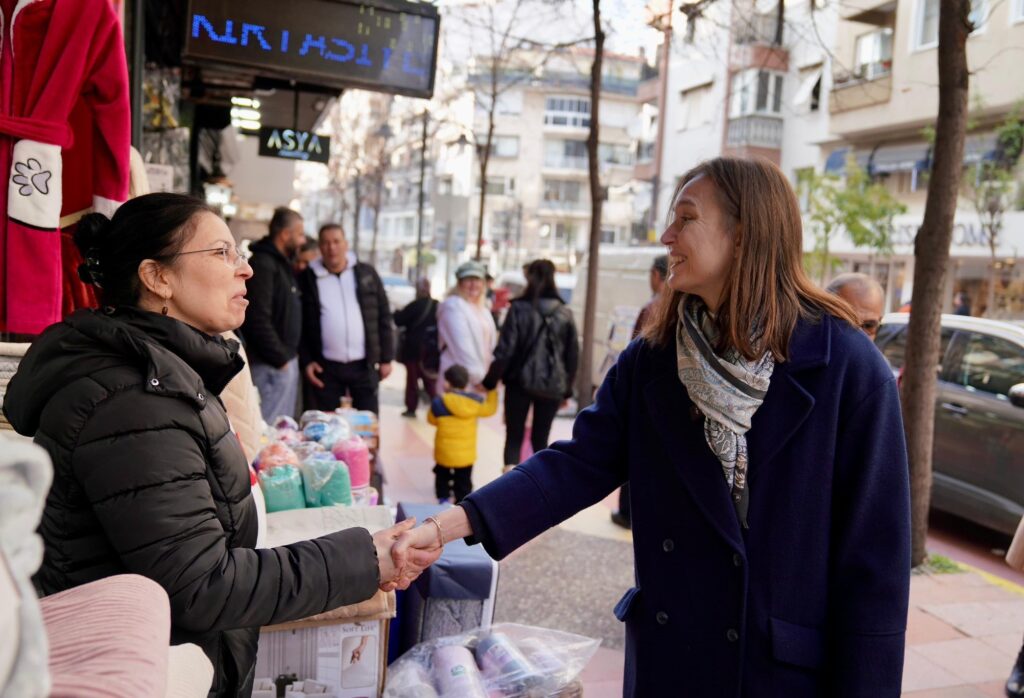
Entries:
{"x":149,"y":476}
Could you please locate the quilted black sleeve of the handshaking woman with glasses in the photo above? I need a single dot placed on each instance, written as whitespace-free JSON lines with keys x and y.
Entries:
{"x":159,"y":514}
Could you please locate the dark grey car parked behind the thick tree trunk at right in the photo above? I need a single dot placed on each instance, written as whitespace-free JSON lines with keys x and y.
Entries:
{"x":978,"y":458}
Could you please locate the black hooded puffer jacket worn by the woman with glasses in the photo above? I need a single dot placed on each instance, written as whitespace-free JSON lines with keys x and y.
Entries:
{"x":150,"y":479}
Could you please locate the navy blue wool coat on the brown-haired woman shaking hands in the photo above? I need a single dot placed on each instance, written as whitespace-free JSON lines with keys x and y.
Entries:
{"x":813,"y":599}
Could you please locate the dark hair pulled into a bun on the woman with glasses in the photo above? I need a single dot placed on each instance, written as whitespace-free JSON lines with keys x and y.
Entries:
{"x":153,"y":227}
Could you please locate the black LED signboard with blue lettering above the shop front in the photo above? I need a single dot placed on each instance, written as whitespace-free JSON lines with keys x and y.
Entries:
{"x":381,"y":46}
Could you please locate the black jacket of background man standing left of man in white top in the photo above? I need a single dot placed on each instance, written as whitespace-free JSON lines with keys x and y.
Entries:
{"x":274,"y":321}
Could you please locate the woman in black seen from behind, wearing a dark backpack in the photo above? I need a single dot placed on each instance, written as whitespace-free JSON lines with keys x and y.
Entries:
{"x":537,"y":359}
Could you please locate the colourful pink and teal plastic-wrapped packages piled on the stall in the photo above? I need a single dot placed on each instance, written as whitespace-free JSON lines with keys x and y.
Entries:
{"x":322,"y":461}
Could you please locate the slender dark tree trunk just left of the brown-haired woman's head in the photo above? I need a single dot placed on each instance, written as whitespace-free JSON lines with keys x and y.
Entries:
{"x":585,"y":392}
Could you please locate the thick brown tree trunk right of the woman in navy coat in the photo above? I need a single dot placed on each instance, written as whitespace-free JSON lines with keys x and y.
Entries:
{"x":931,"y":252}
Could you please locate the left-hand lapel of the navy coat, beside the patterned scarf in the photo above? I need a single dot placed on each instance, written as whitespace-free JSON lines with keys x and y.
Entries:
{"x":693,"y":459}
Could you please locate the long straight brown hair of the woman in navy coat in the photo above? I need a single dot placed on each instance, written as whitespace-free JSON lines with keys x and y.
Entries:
{"x":767,"y":290}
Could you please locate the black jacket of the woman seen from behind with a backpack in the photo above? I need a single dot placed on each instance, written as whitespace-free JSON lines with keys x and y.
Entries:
{"x":521,"y":333}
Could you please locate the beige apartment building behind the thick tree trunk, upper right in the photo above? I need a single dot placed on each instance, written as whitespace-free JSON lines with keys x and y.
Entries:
{"x":883,"y":97}
